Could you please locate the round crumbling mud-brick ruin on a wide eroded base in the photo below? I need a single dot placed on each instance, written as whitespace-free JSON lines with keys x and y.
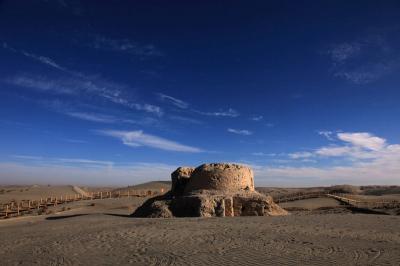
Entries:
{"x":217,"y":189}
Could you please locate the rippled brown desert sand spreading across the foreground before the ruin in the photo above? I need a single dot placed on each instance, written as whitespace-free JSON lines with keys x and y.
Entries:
{"x":101,"y":232}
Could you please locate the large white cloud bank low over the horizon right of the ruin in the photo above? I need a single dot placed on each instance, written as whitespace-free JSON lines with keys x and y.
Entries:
{"x":367,"y":160}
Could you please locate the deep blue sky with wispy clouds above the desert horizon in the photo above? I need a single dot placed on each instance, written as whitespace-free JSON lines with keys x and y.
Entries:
{"x":117,"y":93}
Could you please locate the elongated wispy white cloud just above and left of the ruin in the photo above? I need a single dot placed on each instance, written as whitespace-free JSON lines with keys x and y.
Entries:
{"x":138,"y":138}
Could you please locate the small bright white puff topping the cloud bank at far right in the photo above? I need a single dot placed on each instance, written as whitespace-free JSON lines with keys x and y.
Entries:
{"x":363,"y":140}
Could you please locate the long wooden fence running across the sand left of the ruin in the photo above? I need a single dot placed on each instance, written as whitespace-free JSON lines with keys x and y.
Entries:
{"x":22,"y":207}
